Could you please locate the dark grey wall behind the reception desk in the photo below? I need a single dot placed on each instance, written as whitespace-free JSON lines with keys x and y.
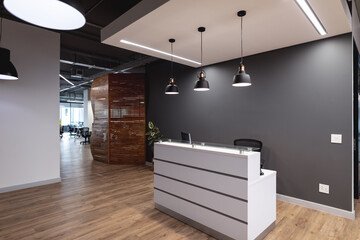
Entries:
{"x":300,"y":95}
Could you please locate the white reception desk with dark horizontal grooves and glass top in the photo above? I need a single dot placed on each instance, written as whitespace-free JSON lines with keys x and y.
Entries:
{"x":215,"y":189}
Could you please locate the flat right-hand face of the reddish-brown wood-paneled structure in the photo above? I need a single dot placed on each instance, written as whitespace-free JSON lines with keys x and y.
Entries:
{"x":127,"y":118}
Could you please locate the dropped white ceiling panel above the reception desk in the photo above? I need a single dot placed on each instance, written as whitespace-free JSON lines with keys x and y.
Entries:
{"x":268,"y":25}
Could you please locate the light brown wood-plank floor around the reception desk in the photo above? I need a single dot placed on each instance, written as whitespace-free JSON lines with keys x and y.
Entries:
{"x":99,"y":201}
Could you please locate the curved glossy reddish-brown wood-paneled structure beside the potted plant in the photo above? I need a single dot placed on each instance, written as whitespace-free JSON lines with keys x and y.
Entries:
{"x":123,"y":131}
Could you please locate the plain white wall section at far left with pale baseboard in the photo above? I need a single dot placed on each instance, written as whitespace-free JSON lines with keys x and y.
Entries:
{"x":29,"y":108}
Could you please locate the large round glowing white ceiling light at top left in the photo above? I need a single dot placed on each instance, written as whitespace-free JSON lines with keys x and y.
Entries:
{"x":53,"y":14}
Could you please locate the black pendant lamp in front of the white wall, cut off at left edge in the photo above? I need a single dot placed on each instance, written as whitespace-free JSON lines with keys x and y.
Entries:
{"x":7,"y":69}
